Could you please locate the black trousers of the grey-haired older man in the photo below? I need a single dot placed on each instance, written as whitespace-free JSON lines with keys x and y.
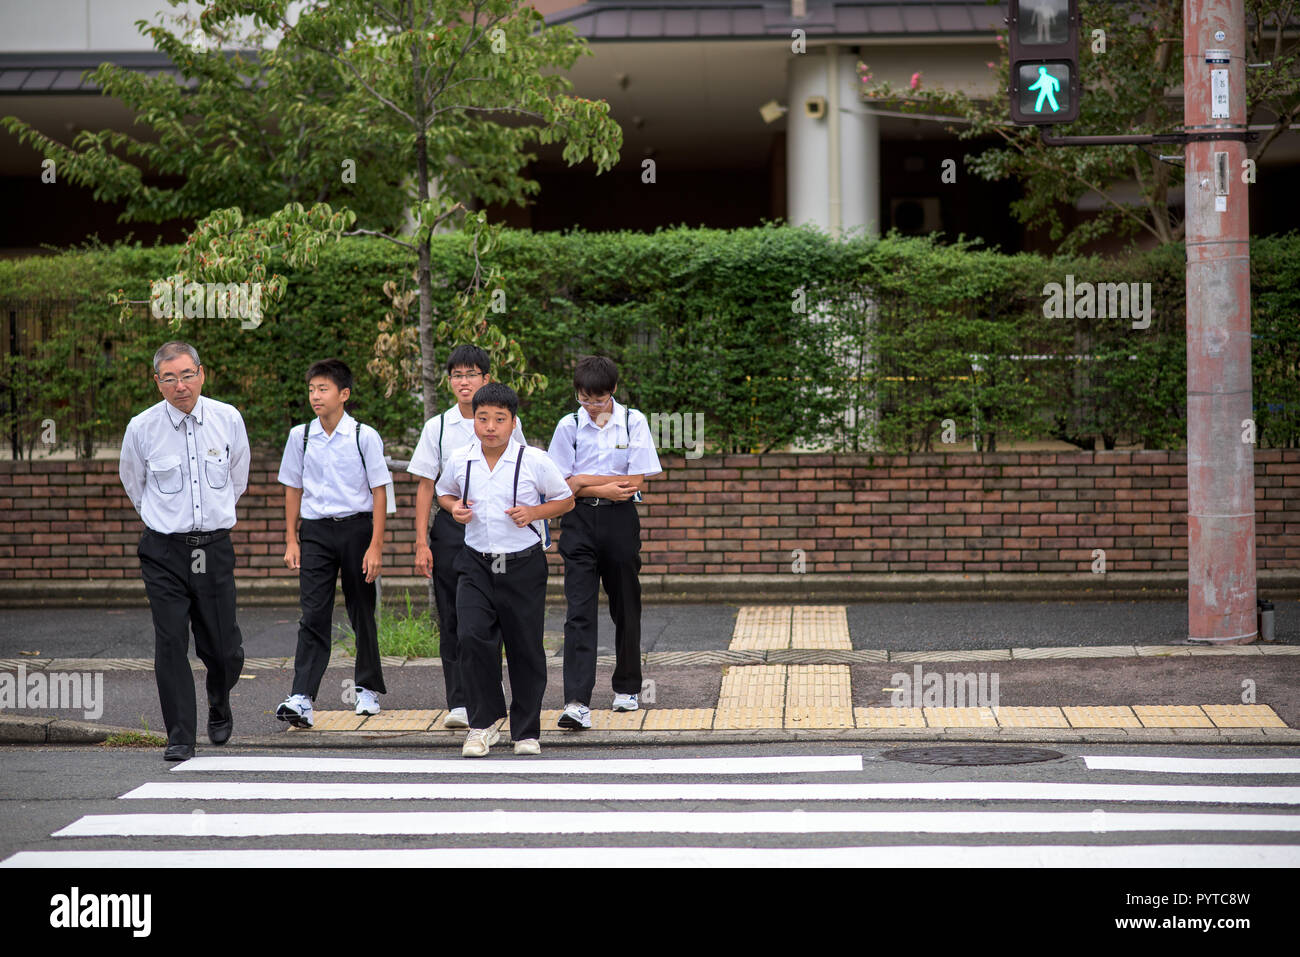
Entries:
{"x":192,"y":586}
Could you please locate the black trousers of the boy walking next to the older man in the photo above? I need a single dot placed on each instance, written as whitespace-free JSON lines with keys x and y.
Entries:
{"x":328,"y":548}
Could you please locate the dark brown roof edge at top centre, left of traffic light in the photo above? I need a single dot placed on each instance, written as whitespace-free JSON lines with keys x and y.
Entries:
{"x":682,"y":20}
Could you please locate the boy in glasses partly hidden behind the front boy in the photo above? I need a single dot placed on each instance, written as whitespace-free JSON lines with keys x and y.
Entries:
{"x":437,"y":548}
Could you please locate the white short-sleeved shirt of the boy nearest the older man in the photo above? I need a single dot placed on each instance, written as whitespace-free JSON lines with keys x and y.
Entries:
{"x":331,"y":474}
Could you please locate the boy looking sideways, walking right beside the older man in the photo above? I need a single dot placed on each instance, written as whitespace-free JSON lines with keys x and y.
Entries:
{"x":336,"y":501}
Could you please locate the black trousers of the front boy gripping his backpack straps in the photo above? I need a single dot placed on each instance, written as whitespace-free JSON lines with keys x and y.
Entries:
{"x":509,"y":592}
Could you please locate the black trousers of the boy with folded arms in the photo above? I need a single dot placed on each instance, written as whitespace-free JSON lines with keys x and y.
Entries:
{"x":601,"y":545}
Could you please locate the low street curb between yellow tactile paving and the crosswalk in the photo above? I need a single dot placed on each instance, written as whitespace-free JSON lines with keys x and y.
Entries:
{"x":37,"y":731}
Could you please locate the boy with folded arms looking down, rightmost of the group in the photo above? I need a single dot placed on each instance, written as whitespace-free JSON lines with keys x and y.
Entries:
{"x":605,"y":453}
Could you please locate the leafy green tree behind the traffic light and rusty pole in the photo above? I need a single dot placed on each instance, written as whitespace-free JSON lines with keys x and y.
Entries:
{"x":1129,"y":86}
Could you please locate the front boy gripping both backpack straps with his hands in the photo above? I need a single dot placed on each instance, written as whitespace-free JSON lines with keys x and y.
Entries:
{"x":495,"y":488}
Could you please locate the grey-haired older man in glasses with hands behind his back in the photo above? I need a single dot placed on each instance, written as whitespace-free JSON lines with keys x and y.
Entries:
{"x":185,"y":465}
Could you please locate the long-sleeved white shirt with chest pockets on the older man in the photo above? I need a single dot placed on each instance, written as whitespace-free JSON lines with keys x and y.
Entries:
{"x":185,"y":473}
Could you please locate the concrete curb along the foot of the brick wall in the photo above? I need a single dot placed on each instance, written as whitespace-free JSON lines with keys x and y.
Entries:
{"x":726,"y":590}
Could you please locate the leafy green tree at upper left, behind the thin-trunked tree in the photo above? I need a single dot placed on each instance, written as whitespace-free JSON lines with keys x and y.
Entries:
{"x":240,"y":124}
